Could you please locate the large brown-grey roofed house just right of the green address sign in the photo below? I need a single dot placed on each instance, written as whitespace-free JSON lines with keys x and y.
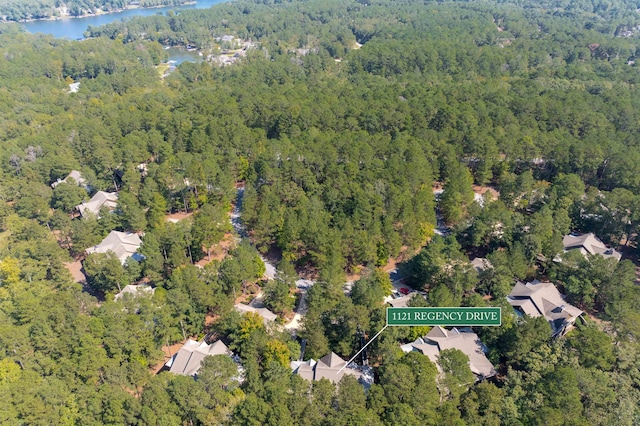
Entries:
{"x":542,"y":299}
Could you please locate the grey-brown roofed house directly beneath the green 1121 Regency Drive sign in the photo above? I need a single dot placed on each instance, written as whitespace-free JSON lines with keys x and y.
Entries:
{"x":468,"y":343}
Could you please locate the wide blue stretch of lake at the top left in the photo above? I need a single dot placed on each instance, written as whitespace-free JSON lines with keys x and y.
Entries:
{"x":73,"y":28}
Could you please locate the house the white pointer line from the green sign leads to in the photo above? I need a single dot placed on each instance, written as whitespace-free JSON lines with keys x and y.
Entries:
{"x":330,"y":367}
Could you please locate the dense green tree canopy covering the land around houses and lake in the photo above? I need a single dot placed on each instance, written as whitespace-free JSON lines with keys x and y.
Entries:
{"x":340,"y":122}
